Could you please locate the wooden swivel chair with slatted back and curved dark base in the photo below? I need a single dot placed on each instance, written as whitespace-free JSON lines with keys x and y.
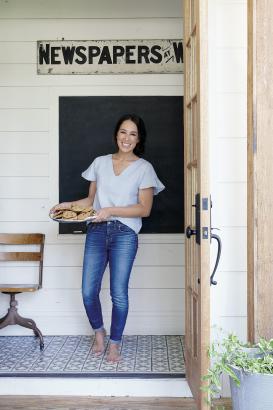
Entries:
{"x":13,"y":317}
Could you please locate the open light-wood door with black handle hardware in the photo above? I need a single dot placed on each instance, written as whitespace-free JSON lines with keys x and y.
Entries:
{"x":197,"y":197}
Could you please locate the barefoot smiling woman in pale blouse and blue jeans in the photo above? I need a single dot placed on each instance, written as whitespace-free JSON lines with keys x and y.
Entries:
{"x":121,"y":190}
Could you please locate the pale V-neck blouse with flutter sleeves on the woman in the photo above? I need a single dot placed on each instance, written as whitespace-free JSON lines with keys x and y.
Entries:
{"x":123,"y":189}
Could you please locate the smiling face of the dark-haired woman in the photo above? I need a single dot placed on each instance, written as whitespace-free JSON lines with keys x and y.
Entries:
{"x":127,"y":136}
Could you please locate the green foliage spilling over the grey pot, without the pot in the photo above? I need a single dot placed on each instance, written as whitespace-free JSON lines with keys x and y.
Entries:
{"x":231,"y":351}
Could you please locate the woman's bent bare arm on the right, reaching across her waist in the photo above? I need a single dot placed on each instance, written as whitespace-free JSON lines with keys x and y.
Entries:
{"x":142,"y":209}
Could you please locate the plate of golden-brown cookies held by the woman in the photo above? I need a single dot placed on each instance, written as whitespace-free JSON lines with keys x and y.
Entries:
{"x":75,"y":213}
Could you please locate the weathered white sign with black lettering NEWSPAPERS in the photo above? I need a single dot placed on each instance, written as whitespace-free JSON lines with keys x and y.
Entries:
{"x":110,"y":57}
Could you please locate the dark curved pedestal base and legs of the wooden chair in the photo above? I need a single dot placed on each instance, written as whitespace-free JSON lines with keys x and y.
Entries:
{"x":13,"y":318}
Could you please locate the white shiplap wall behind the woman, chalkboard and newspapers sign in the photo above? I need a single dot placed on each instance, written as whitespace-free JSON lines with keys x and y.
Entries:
{"x":29,"y":160}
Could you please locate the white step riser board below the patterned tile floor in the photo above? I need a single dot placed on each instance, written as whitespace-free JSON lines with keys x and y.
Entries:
{"x":94,"y":387}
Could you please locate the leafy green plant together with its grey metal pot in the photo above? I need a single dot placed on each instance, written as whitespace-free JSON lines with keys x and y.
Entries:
{"x":250,"y":370}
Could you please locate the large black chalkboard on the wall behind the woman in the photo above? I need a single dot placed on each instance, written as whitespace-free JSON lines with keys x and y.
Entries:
{"x":86,"y":127}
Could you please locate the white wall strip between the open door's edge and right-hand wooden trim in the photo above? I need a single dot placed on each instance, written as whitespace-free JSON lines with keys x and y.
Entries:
{"x":228,"y":158}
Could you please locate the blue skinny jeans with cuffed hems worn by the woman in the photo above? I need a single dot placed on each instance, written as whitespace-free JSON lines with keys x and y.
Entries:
{"x":117,"y":244}
